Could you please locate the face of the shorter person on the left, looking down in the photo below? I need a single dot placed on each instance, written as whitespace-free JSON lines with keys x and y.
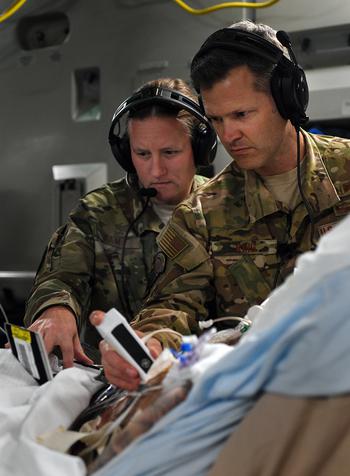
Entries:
{"x":161,"y":152}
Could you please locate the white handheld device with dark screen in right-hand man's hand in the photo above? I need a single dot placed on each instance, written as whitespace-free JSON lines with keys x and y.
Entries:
{"x":116,"y":330}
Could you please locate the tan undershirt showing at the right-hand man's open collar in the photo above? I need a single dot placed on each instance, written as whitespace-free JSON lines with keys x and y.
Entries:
{"x":284,"y":187}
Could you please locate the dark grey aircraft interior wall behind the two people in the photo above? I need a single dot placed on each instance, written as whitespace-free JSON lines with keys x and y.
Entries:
{"x":118,"y":45}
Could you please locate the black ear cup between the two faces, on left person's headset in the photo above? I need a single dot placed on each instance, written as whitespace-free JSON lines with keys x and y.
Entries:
{"x":204,"y":145}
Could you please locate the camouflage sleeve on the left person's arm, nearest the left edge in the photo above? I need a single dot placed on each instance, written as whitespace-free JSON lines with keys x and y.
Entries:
{"x":64,"y":274}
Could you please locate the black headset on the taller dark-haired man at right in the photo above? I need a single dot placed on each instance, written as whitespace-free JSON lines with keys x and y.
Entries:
{"x":288,"y":82}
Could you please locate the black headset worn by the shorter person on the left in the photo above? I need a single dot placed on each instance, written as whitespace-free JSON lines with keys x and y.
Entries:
{"x":204,"y":140}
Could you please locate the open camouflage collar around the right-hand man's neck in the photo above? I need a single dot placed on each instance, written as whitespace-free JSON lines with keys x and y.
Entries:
{"x":319,"y":188}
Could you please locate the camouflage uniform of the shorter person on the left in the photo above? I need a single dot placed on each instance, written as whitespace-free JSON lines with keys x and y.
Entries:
{"x":81,"y":266}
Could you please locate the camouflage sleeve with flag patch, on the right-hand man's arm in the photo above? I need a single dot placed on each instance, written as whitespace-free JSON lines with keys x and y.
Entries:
{"x":183,"y":292}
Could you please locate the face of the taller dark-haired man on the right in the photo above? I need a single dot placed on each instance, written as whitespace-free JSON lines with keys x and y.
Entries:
{"x":249,"y":124}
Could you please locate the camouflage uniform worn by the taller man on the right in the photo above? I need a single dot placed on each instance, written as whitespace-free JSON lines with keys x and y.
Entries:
{"x":231,"y":243}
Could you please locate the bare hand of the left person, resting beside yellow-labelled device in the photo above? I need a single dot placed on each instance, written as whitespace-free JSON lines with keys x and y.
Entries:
{"x":58,"y":327}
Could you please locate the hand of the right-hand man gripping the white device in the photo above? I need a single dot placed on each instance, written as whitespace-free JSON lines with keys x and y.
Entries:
{"x":117,"y":370}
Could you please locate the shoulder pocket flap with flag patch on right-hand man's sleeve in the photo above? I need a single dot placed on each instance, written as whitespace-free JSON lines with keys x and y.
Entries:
{"x":181,"y":247}
